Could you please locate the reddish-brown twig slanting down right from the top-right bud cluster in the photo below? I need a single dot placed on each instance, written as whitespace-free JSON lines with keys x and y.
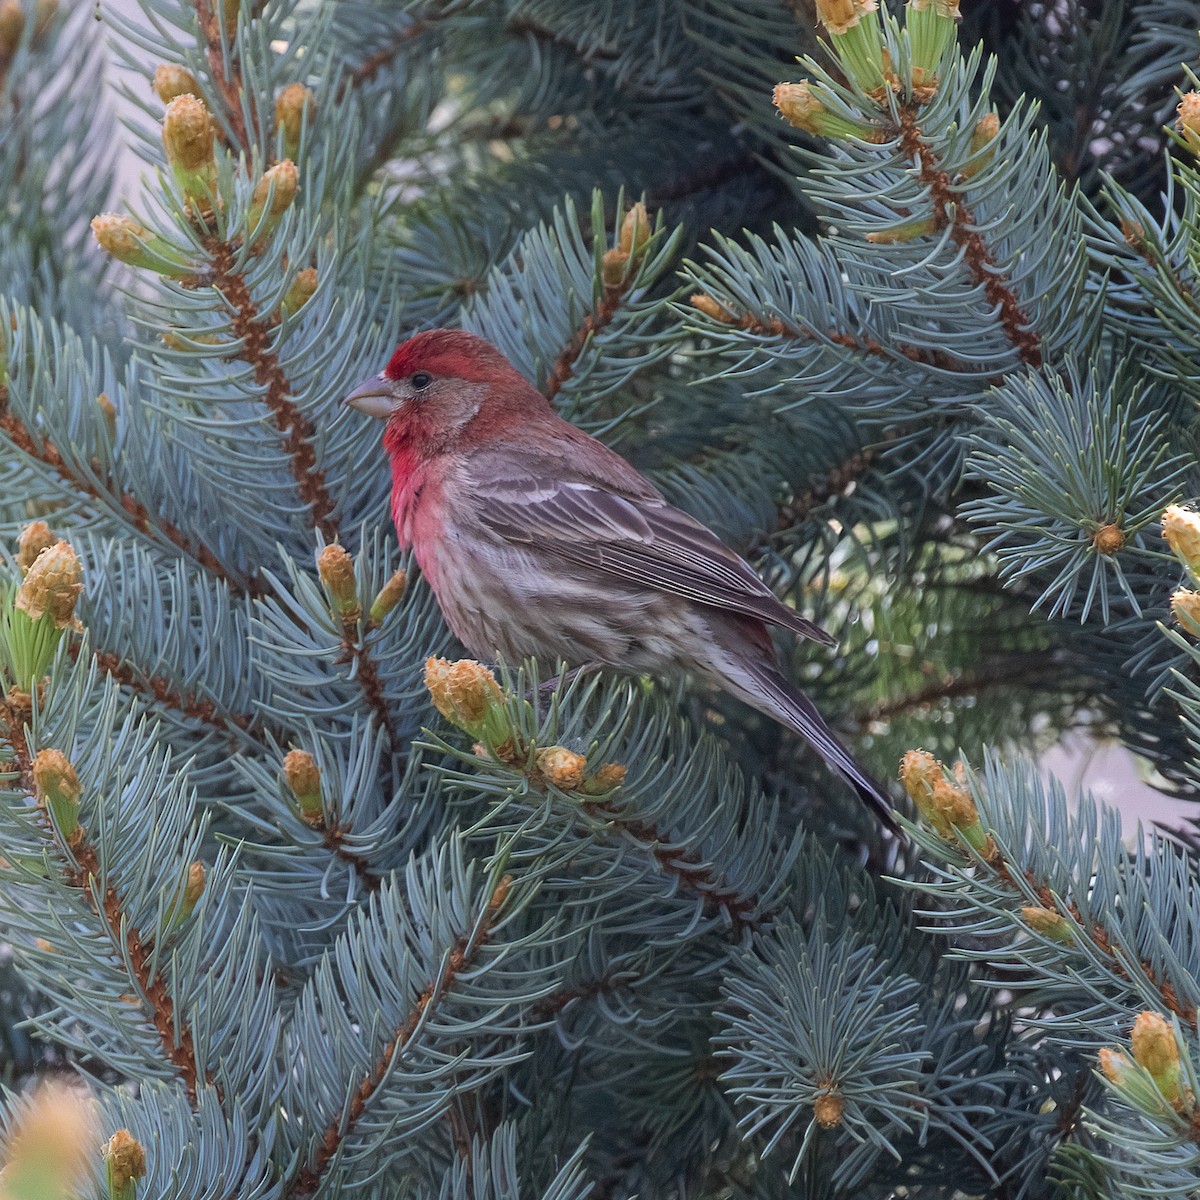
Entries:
{"x":979,"y":257}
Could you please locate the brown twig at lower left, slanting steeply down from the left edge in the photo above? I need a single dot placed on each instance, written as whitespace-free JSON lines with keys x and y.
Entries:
{"x":82,"y":872}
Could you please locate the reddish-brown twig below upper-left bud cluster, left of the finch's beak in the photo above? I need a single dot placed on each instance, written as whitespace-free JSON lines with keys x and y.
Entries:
{"x":298,"y":431}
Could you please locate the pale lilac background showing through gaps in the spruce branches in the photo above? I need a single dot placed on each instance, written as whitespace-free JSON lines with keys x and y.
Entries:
{"x":1109,"y":771}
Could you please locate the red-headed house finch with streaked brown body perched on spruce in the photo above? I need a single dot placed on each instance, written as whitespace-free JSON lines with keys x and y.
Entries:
{"x":539,"y":542}
